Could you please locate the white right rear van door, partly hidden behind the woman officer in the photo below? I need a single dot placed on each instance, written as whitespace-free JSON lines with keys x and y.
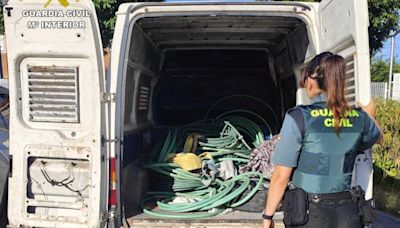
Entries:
{"x":343,"y":29}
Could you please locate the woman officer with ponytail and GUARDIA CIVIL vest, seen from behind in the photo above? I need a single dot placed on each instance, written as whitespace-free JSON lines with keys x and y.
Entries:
{"x":319,"y":143}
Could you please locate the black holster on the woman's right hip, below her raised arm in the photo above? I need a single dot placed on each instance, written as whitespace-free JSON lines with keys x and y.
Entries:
{"x":364,"y":206}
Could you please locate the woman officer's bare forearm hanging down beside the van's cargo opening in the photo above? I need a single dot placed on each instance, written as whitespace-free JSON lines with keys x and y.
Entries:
{"x":279,"y":181}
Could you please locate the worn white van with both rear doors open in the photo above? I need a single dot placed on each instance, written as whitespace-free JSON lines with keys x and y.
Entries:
{"x":76,"y":133}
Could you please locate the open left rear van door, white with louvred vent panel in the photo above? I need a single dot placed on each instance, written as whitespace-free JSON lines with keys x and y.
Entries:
{"x":58,"y":158}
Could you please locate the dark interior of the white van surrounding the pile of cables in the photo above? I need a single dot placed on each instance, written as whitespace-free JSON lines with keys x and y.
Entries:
{"x":178,"y":67}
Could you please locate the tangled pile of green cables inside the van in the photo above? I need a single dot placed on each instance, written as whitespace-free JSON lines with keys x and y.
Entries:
{"x":208,"y":196}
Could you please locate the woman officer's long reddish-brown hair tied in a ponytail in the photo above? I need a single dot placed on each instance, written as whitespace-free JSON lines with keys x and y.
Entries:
{"x":329,"y":71}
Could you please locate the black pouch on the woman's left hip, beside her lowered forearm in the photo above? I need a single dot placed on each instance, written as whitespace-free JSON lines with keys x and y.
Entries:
{"x":295,"y":207}
